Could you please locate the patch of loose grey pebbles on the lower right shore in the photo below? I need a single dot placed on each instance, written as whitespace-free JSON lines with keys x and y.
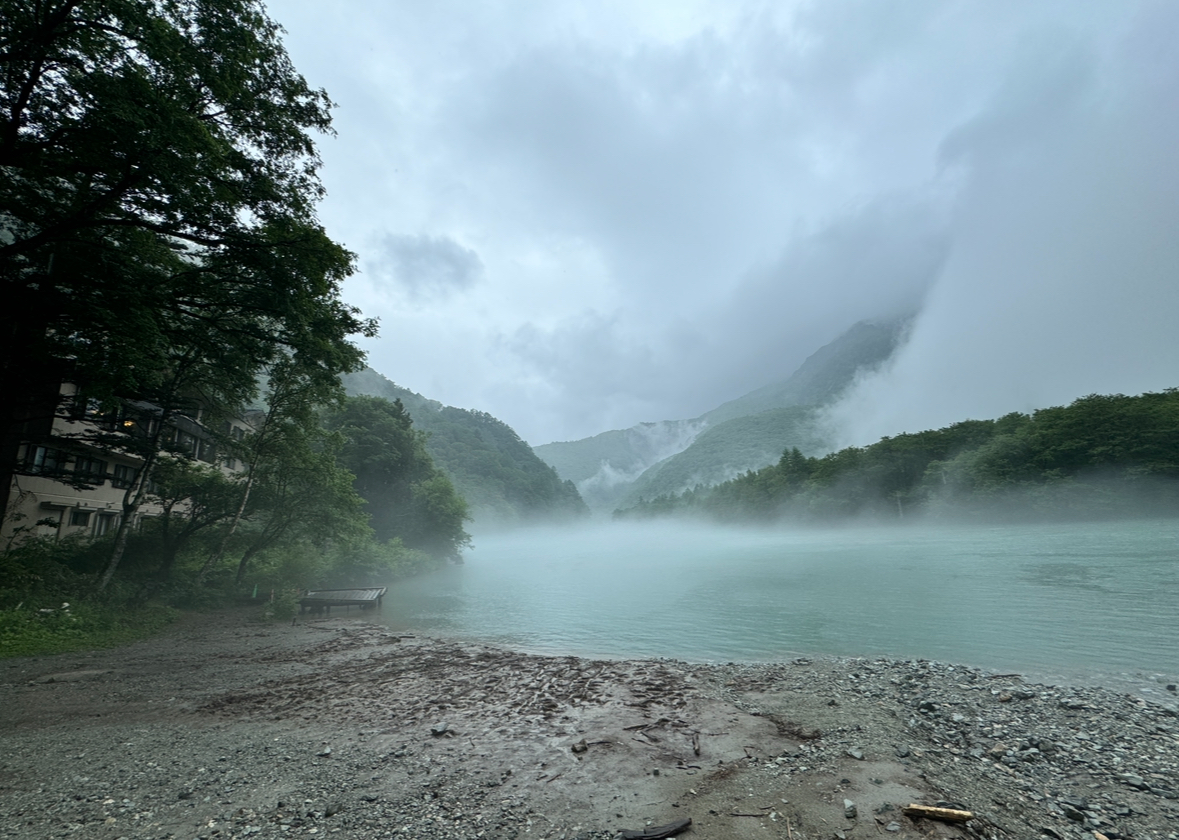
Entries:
{"x":1071,"y":759}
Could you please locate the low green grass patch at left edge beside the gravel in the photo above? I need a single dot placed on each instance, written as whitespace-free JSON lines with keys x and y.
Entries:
{"x":31,"y":632}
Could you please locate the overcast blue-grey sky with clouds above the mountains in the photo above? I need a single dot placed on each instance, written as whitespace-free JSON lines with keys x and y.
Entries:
{"x":578,"y":216}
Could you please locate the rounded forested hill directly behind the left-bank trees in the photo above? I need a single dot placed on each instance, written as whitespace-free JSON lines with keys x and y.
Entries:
{"x":498,"y":474}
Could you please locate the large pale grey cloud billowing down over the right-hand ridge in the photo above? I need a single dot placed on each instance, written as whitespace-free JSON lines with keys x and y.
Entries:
{"x":1064,"y":274}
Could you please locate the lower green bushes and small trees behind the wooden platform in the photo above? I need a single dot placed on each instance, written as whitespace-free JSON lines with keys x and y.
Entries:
{"x":354,"y":502}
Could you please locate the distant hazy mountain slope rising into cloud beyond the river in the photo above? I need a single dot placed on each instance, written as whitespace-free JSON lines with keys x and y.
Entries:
{"x":747,"y":434}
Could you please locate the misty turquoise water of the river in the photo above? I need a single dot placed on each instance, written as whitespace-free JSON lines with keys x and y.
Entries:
{"x":1081,"y":601}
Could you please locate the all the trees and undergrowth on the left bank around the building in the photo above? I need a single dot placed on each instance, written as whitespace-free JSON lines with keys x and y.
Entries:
{"x":161,"y":253}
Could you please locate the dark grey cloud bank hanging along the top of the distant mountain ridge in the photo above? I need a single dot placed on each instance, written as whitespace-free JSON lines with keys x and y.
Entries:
{"x":877,"y":261}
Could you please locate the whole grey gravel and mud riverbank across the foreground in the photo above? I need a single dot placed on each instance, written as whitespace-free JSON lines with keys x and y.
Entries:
{"x":227,"y":729}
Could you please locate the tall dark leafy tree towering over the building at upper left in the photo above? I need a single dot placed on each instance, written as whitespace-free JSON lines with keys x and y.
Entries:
{"x":159,"y":238}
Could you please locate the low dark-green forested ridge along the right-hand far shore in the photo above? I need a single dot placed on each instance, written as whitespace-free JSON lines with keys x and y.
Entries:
{"x":1101,"y":456}
